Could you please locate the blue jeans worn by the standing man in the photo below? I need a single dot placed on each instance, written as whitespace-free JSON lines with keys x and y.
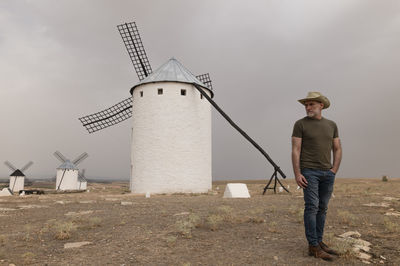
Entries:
{"x":316,"y":197}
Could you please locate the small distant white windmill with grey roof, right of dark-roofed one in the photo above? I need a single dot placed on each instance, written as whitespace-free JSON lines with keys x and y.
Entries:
{"x":68,"y":176}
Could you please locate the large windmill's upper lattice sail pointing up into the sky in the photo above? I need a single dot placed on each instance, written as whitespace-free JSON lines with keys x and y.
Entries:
{"x":134,"y":46}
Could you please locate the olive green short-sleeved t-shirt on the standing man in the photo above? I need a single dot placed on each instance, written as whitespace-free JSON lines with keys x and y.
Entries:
{"x":316,"y":142}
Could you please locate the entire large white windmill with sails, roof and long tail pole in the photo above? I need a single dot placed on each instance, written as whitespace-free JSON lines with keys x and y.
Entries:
{"x":171,"y":133}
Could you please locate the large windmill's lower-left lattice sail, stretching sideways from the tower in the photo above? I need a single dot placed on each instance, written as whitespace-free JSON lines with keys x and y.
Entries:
{"x":108,"y":117}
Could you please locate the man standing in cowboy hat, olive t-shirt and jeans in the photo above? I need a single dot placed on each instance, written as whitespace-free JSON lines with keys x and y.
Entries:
{"x":314,"y":138}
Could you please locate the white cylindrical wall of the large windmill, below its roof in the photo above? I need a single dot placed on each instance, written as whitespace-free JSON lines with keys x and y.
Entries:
{"x":171,"y":140}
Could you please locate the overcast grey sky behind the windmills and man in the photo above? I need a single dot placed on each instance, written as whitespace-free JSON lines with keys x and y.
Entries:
{"x":60,"y":60}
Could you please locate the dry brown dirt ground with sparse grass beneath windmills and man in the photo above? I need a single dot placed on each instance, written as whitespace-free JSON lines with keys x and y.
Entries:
{"x":199,"y":229}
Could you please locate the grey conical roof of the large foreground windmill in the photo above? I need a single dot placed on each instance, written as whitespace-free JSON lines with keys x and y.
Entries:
{"x":172,"y":70}
